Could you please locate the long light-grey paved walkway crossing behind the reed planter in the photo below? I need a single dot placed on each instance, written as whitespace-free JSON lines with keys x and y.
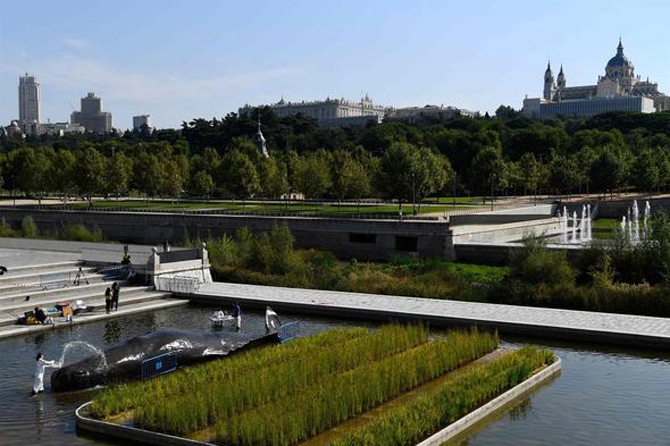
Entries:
{"x":641,"y":331}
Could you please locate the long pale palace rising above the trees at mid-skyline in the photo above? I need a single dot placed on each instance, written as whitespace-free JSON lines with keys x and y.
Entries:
{"x":329,"y":112}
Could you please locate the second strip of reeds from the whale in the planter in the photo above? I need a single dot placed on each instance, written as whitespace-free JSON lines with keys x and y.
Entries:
{"x":227,"y":395}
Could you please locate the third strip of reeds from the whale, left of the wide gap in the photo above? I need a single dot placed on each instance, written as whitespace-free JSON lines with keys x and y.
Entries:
{"x":326,"y":403}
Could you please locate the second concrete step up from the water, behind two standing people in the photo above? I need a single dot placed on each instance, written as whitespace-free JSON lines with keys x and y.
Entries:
{"x":128,"y":294}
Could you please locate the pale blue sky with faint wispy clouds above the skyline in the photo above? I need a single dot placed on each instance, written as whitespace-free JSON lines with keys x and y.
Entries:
{"x":181,"y":60}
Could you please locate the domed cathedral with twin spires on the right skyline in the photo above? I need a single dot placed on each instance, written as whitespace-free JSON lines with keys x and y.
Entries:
{"x":618,"y":90}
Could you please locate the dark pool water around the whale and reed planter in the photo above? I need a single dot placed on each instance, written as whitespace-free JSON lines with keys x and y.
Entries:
{"x":603,"y":396}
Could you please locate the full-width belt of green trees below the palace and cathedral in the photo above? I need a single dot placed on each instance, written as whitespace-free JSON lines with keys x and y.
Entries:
{"x":504,"y":154}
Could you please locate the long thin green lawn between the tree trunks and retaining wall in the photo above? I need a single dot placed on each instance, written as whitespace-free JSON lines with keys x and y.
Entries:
{"x":296,"y":208}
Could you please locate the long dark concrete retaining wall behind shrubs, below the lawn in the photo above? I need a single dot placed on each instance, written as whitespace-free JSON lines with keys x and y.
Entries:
{"x":432,"y":237}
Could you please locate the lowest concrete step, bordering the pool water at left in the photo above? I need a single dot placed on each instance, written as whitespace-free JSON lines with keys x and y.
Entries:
{"x":125,"y":308}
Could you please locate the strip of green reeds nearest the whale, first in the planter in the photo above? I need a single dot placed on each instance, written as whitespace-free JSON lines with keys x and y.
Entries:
{"x":125,"y":397}
